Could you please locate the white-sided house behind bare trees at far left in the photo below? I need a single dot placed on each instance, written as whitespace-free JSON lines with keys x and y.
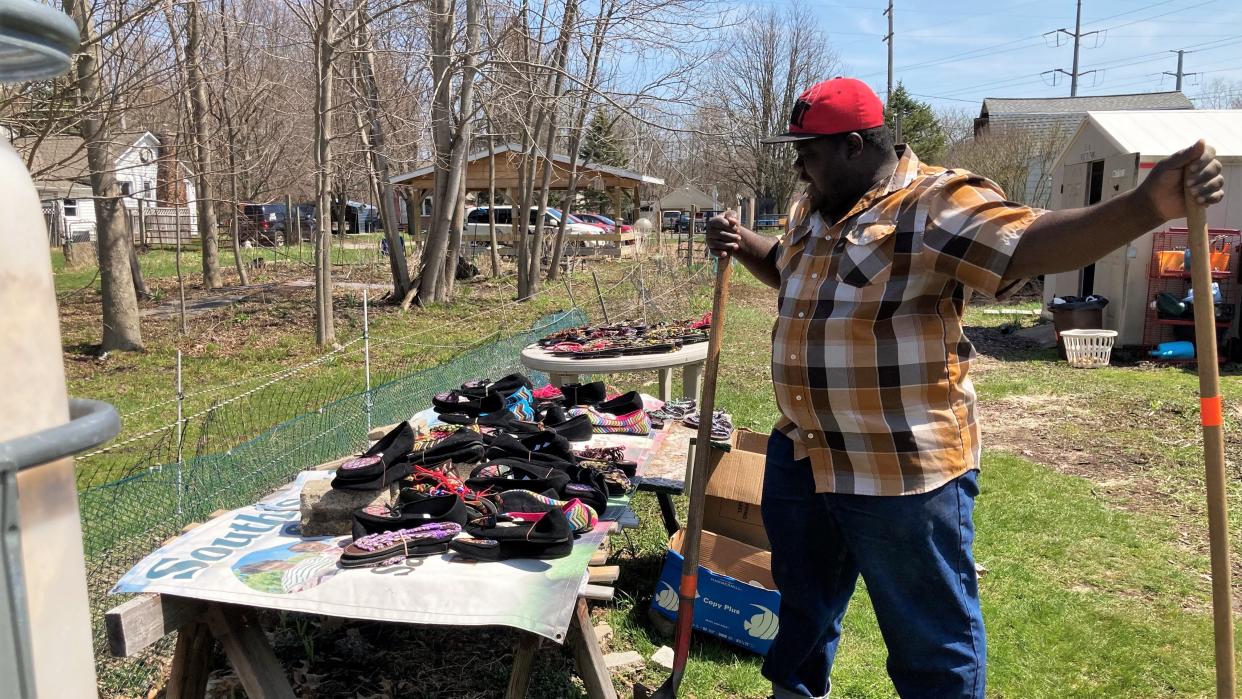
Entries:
{"x":146,"y":171}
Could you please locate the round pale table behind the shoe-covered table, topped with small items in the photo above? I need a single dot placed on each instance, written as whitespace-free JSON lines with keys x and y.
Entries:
{"x":563,"y":371}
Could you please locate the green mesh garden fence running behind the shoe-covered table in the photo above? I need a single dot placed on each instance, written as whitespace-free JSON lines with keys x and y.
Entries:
{"x":141,"y":491}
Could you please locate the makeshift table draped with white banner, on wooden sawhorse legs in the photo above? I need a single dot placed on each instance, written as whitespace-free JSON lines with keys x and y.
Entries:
{"x":285,"y":572}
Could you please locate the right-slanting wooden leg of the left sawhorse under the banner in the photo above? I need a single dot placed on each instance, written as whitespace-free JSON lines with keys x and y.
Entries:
{"x":249,"y":652}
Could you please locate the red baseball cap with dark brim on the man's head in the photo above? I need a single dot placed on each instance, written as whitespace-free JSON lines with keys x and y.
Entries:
{"x":833,"y":107}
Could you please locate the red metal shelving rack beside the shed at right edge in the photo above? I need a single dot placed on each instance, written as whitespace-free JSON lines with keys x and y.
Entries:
{"x":1157,"y":330}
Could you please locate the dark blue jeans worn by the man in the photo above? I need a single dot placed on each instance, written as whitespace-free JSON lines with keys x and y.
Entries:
{"x":915,"y":554}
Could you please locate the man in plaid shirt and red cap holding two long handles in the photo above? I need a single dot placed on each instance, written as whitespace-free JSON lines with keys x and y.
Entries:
{"x":874,"y":467}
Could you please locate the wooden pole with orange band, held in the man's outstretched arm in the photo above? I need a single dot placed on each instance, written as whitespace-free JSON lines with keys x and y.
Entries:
{"x":1214,"y":446}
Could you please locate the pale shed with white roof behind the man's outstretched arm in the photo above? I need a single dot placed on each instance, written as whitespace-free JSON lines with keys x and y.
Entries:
{"x":1110,"y":155}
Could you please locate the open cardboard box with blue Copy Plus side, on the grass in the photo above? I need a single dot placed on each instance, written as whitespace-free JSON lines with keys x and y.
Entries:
{"x":737,"y":598}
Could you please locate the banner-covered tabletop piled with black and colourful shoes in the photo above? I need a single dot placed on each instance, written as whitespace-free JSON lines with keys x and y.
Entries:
{"x":483,"y":510}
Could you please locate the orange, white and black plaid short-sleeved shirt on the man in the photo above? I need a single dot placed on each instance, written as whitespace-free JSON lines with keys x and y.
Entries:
{"x":870,"y":362}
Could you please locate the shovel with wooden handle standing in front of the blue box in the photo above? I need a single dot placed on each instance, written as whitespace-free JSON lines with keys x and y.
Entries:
{"x":699,"y":491}
